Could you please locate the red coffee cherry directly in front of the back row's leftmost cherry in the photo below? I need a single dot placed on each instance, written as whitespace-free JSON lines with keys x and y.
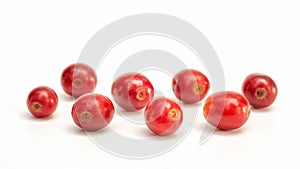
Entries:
{"x":92,"y":112}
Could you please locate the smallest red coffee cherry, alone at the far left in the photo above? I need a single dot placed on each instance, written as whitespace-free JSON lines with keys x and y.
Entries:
{"x":42,"y":102}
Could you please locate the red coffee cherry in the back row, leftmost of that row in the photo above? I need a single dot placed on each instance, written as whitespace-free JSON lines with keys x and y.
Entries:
{"x":78,"y":79}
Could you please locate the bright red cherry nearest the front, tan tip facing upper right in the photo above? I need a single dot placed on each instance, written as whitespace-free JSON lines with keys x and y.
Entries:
{"x":163,"y":116}
